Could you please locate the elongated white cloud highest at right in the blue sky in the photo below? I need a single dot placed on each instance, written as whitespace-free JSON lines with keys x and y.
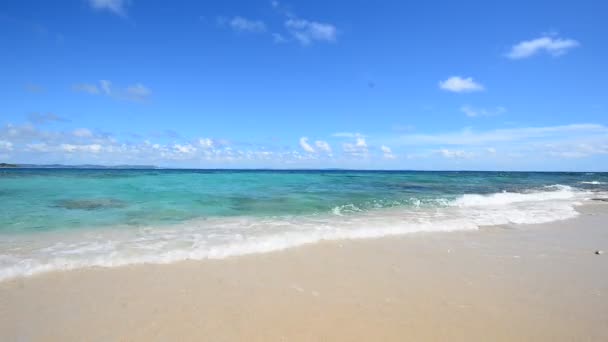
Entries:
{"x":550,"y":45}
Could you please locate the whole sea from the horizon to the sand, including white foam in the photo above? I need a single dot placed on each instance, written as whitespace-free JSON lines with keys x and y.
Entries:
{"x":59,"y":219}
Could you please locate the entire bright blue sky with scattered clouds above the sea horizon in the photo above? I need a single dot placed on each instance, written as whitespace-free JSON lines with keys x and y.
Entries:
{"x":416,"y":85}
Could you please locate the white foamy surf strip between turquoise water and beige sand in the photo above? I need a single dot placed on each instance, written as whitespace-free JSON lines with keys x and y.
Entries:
{"x":216,"y":238}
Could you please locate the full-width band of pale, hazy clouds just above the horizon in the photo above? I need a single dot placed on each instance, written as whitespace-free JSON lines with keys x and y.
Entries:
{"x":466,"y":148}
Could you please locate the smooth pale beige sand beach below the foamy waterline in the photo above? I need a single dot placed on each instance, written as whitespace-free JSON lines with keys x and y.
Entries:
{"x":516,"y":283}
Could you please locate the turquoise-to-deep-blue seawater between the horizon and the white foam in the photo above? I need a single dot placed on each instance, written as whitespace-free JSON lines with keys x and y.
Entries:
{"x":50,"y":199}
